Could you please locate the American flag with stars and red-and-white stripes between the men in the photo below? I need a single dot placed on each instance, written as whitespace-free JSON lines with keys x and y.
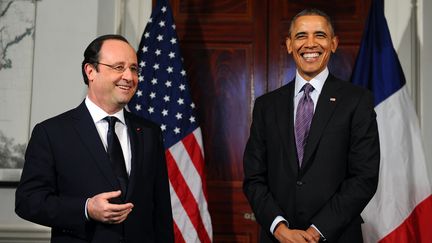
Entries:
{"x":163,"y":96}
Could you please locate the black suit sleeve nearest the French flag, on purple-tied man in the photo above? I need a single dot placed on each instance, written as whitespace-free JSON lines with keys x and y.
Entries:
{"x":362,"y":173}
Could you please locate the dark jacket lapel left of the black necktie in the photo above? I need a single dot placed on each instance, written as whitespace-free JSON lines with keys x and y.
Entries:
{"x":86,"y":129}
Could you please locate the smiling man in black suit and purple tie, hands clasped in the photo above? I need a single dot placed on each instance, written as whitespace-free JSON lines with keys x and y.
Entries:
{"x":309,"y":183}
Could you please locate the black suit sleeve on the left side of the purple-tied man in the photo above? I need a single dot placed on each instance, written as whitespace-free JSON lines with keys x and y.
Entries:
{"x":255,"y":185}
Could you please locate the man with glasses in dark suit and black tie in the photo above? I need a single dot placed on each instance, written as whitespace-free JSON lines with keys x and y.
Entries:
{"x":69,"y":181}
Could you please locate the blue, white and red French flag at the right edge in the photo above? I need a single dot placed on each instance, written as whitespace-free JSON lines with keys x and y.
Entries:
{"x":401,"y":210}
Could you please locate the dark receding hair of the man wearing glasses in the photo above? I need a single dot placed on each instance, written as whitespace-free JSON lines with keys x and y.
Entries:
{"x":91,"y":53}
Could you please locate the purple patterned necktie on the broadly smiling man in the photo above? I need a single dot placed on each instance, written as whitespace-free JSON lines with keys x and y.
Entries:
{"x":305,"y":109}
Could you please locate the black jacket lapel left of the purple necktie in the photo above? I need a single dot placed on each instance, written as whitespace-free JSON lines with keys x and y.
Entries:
{"x":285,"y":121}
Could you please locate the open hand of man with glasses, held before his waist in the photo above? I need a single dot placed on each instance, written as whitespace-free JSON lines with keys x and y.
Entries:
{"x":100,"y":209}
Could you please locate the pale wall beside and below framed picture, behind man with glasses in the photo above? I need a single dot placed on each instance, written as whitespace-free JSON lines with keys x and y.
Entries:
{"x":63,"y":30}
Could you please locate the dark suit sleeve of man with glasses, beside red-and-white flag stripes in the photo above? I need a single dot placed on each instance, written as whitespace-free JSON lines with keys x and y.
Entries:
{"x":163,"y":214}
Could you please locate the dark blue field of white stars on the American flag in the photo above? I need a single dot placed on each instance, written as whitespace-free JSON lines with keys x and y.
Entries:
{"x":163,"y":94}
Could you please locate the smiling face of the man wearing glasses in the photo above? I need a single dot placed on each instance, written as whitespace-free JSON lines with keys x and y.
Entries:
{"x":111,"y":89}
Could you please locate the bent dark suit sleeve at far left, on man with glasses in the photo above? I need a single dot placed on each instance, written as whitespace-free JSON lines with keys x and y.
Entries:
{"x":37,"y":198}
